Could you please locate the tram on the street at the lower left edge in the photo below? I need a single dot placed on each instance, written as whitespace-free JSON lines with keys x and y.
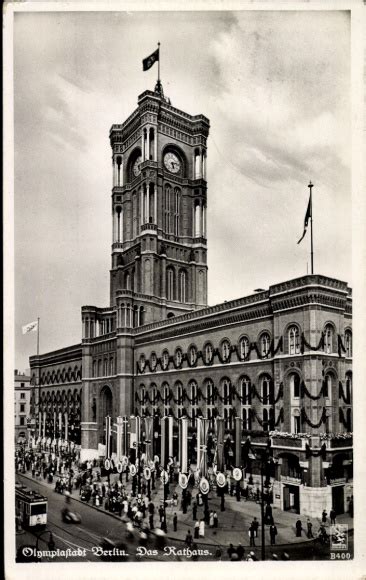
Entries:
{"x":30,"y":507}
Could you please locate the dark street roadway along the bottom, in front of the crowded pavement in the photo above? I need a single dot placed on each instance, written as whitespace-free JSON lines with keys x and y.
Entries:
{"x":96,"y":525}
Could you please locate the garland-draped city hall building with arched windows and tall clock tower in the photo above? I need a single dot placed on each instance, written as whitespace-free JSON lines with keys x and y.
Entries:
{"x":275,"y":367}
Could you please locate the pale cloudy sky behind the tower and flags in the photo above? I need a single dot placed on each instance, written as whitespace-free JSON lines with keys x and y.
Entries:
{"x":276,"y":88}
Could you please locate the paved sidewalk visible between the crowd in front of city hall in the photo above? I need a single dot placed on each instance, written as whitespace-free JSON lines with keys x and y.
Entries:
{"x":233,"y":523}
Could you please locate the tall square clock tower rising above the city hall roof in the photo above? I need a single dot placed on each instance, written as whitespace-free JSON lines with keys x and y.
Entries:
{"x":159,"y":201}
